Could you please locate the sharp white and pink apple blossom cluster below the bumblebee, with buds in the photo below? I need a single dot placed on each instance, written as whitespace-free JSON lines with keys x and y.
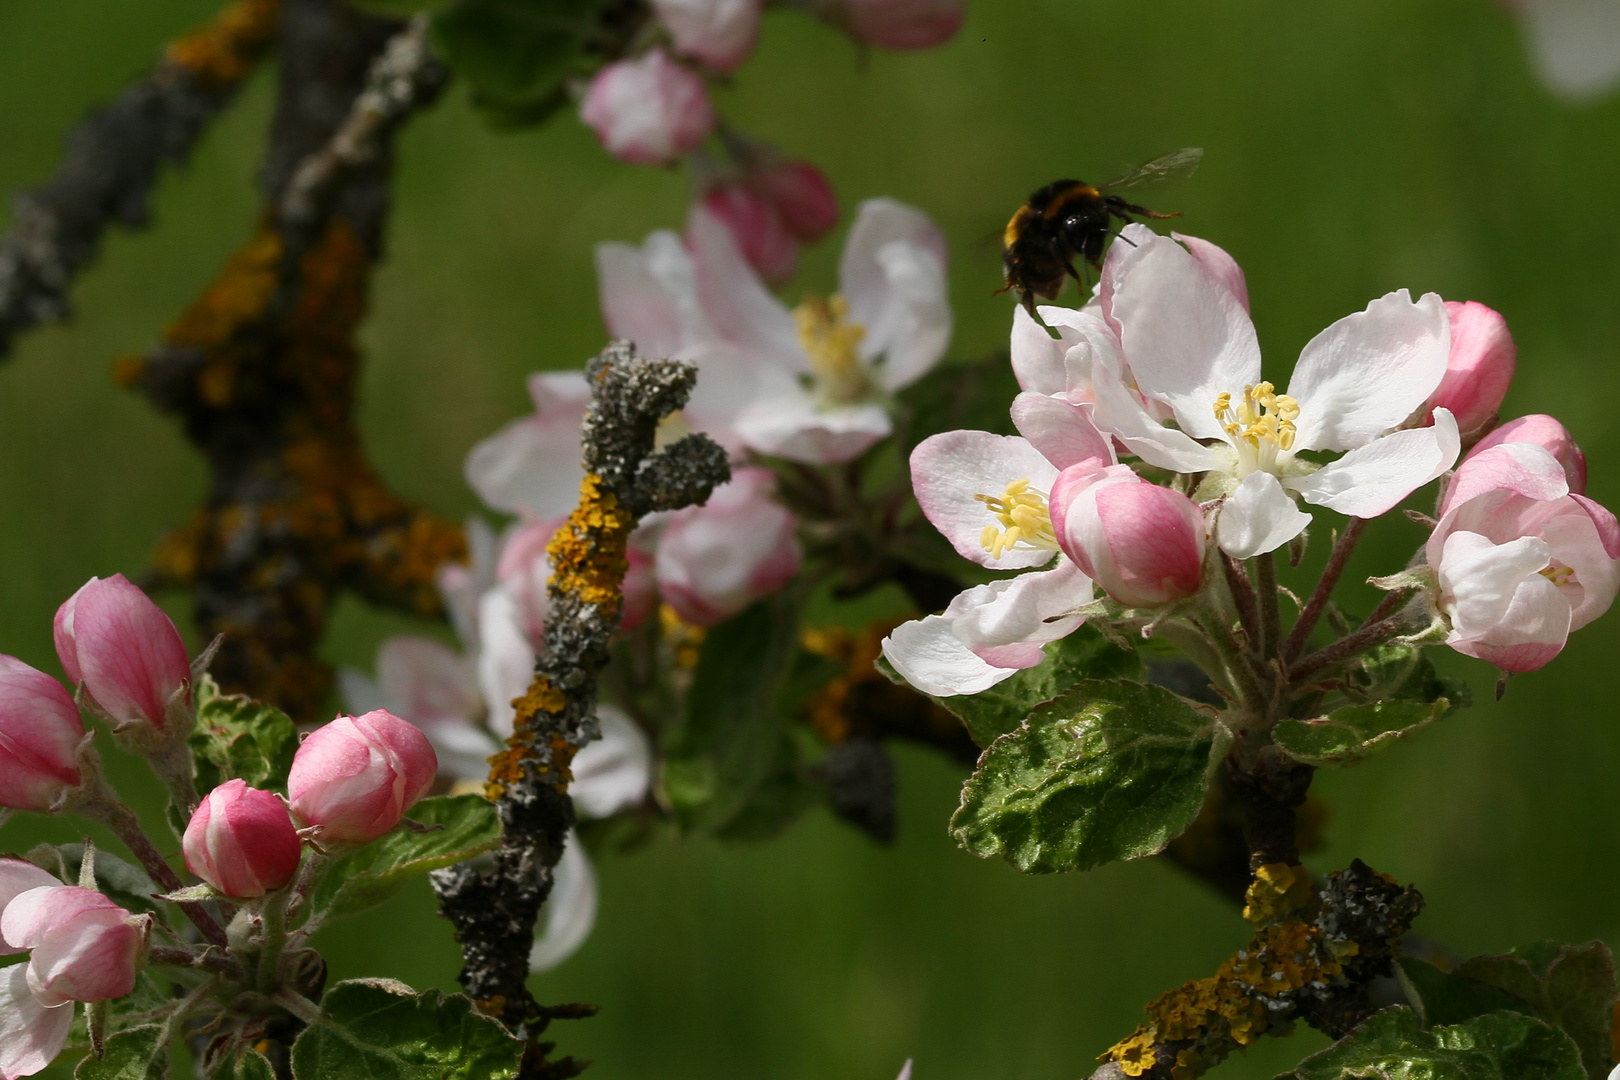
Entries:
{"x":1162,"y":367}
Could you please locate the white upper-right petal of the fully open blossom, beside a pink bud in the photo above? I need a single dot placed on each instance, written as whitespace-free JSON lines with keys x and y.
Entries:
{"x":1370,"y":372}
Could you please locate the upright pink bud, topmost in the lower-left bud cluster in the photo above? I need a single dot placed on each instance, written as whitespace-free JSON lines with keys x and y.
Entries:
{"x":127,"y":653}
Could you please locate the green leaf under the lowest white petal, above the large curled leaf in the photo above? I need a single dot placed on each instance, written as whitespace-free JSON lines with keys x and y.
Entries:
{"x":1000,"y":710}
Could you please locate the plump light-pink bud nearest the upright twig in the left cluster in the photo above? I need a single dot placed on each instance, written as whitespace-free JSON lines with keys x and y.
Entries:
{"x":359,"y":775}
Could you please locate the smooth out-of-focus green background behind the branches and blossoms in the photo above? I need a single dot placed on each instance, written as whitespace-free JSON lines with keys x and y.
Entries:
{"x":1354,"y":147}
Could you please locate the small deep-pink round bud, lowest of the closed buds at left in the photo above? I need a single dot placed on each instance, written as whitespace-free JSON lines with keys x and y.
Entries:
{"x":242,"y":841}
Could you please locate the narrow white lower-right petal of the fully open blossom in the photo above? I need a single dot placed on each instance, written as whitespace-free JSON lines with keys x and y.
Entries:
{"x":1375,"y":478}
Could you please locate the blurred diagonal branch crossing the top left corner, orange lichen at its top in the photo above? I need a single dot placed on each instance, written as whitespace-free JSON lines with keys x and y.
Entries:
{"x":113,"y":163}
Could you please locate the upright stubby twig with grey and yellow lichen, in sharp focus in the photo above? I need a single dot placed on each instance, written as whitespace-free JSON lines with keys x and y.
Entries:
{"x":495,"y":908}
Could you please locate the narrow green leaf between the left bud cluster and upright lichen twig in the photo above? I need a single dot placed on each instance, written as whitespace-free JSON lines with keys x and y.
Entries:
{"x":373,"y":874}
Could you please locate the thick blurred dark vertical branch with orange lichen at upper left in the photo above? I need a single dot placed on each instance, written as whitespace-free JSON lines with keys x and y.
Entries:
{"x":263,"y":372}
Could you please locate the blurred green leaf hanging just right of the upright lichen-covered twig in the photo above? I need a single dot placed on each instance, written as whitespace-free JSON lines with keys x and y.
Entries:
{"x":731,"y":744}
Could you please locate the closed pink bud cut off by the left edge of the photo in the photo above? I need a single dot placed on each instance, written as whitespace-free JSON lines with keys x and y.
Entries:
{"x":40,"y":734}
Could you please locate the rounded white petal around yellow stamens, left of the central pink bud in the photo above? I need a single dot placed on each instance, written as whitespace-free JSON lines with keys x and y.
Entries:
{"x":953,"y":467}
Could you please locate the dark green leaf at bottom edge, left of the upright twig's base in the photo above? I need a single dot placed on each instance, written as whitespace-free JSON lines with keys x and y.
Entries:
{"x":383,"y":1031}
